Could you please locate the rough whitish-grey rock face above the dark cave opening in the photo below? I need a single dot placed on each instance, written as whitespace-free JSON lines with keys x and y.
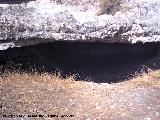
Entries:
{"x":42,"y":21}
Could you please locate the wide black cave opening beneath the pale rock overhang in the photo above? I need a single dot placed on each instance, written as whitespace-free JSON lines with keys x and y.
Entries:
{"x":91,"y":61}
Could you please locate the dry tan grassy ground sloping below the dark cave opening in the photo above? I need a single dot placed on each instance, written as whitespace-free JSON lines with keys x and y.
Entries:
{"x":136,"y":99}
